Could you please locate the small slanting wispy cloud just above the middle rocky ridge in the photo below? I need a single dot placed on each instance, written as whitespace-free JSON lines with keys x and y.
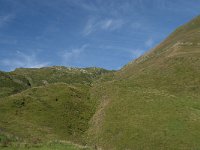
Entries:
{"x":73,"y":54}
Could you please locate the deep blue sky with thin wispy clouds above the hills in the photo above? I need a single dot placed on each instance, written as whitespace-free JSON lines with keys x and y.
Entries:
{"x":86,"y":33}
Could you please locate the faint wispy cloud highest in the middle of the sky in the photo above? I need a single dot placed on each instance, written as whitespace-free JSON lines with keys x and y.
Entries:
{"x":95,"y":24}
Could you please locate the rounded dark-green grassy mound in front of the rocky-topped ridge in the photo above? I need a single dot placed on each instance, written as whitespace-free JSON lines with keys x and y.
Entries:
{"x":52,"y":112}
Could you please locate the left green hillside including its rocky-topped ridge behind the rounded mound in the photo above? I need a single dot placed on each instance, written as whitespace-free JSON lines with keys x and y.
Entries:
{"x":55,"y":106}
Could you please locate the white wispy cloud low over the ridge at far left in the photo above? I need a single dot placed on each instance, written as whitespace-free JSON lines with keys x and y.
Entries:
{"x":23,"y":60}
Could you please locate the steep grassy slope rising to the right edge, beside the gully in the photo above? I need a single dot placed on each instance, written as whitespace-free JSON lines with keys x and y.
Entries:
{"x":154,"y":101}
